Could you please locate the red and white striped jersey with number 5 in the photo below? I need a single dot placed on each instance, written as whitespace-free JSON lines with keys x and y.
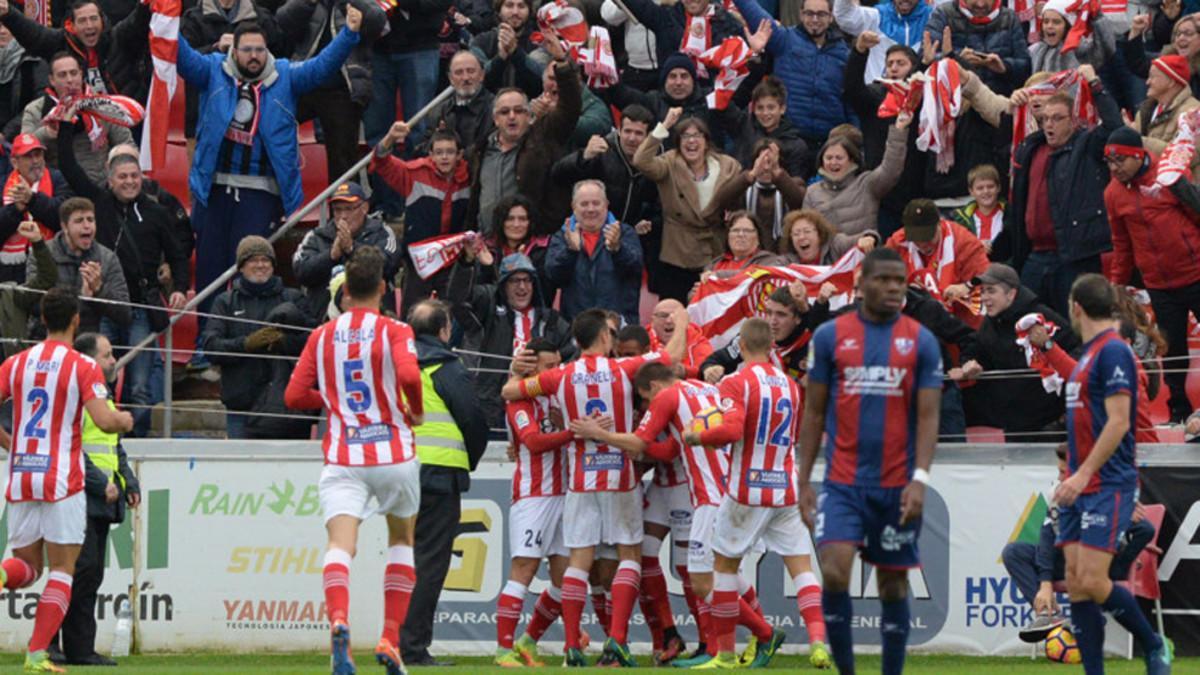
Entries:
{"x":359,"y":365}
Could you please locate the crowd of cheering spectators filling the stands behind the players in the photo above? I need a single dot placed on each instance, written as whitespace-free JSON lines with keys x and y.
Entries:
{"x":1042,"y":163}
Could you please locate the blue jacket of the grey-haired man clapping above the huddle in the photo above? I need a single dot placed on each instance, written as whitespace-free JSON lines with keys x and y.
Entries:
{"x":605,"y":279}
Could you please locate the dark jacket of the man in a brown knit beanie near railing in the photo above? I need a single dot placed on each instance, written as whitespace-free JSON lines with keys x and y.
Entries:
{"x":243,"y":378}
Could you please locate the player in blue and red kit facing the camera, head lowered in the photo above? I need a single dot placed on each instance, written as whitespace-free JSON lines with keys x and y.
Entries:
{"x":875,"y":384}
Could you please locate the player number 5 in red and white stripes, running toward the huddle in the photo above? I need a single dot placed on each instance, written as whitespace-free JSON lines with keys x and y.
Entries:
{"x":357,"y":367}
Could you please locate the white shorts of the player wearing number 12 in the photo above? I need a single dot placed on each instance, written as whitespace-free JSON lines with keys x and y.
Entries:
{"x":740,"y":527}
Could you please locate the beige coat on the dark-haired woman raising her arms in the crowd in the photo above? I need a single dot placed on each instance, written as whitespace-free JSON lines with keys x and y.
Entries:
{"x":692,"y":237}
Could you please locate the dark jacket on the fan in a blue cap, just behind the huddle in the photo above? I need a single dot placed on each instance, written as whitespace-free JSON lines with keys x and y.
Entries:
{"x":484,"y":313}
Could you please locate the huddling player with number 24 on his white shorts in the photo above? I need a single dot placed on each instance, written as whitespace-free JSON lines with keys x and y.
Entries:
{"x":536,"y":518}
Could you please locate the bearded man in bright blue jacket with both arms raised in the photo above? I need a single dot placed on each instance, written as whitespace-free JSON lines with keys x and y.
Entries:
{"x":244,"y":172}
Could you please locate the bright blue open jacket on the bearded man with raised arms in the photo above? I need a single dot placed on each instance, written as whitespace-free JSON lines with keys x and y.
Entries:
{"x":278,"y":122}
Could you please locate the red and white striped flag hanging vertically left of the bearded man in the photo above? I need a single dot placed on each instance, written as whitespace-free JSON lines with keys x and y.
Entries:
{"x":164,"y":55}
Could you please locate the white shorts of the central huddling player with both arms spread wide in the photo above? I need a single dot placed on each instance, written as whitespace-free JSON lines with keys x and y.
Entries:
{"x":591,"y":519}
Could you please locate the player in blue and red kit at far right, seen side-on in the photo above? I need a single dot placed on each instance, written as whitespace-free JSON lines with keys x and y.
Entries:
{"x":1097,"y":500}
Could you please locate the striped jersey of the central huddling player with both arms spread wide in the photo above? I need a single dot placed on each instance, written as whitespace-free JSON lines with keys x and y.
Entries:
{"x":596,"y":386}
